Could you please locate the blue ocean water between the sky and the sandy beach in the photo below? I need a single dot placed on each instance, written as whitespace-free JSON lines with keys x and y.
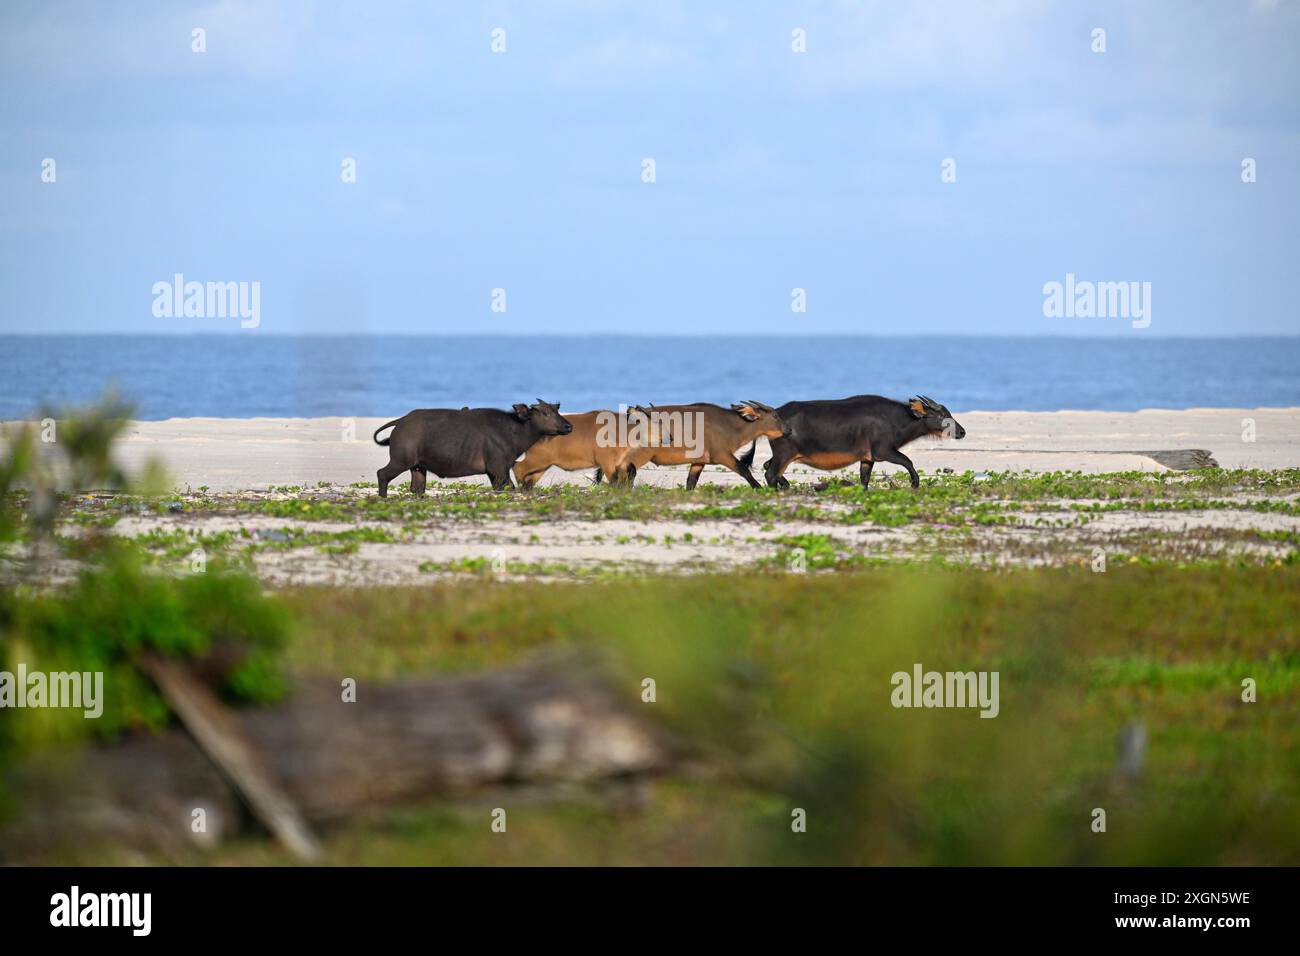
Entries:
{"x":253,"y":375}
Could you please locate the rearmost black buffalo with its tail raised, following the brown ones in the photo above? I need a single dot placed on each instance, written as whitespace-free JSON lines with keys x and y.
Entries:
{"x":469,"y":442}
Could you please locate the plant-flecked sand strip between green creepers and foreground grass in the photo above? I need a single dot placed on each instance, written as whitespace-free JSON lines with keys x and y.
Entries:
{"x":673,"y":546}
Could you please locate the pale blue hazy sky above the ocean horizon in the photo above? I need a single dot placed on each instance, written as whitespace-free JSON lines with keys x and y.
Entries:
{"x":774,"y":170}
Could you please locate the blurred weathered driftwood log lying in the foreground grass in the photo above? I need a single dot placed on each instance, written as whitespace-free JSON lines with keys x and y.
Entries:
{"x":335,"y":759}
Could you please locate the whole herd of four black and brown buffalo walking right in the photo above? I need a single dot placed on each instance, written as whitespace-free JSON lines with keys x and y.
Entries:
{"x":531,"y":439}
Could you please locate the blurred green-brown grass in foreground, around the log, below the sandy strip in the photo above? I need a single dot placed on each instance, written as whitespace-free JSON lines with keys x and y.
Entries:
{"x":779,"y":689}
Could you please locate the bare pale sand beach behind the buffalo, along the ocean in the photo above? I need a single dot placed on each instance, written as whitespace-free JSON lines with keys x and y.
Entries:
{"x":248,"y":455}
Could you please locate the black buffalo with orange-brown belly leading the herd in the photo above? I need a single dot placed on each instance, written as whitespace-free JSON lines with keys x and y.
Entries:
{"x":864,"y":429}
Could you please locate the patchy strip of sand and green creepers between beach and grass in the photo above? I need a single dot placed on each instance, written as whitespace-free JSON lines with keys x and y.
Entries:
{"x":294,"y":537}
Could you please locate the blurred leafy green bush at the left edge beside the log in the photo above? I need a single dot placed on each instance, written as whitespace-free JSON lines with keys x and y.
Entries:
{"x":112,"y":608}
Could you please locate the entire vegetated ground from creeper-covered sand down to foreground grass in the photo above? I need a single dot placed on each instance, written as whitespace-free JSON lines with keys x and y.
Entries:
{"x":778,"y":686}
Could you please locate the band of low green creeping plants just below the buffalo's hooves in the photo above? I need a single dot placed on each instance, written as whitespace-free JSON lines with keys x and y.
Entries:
{"x":955,"y":500}
